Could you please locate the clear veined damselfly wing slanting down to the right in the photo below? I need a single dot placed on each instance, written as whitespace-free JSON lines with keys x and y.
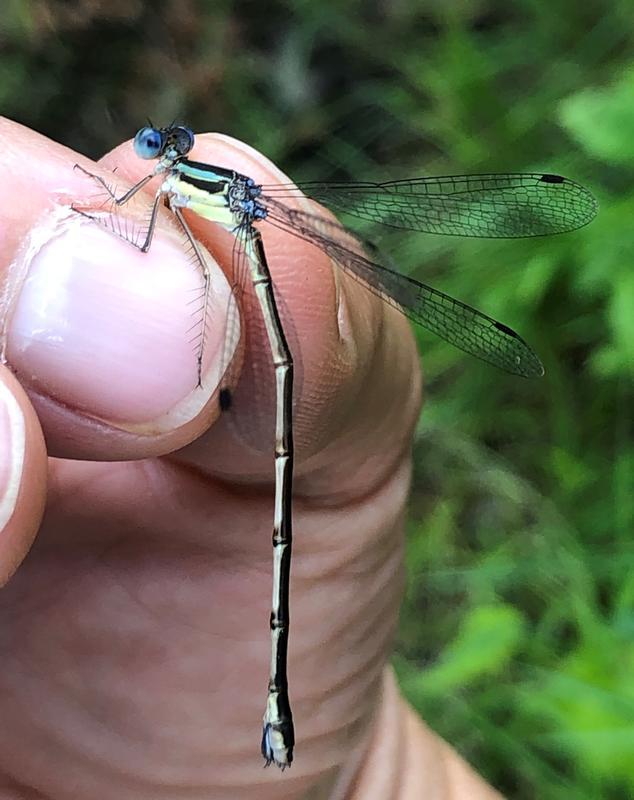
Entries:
{"x":462,"y":326}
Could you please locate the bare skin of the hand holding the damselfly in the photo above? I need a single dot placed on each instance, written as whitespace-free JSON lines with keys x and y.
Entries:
{"x":134,"y":637}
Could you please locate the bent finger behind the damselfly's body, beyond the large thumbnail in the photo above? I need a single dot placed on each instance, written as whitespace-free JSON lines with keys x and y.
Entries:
{"x":357,"y":382}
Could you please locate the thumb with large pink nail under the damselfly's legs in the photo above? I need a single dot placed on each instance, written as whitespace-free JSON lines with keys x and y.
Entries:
{"x":97,"y":331}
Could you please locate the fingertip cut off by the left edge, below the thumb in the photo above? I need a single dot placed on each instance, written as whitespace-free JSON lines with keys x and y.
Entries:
{"x":22,"y":474}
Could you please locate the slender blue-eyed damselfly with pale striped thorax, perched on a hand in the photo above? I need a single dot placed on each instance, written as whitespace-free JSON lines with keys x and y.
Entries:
{"x":503,"y":206}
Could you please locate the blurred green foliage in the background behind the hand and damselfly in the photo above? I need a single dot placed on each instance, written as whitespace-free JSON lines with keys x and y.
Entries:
{"x":517,"y":636}
